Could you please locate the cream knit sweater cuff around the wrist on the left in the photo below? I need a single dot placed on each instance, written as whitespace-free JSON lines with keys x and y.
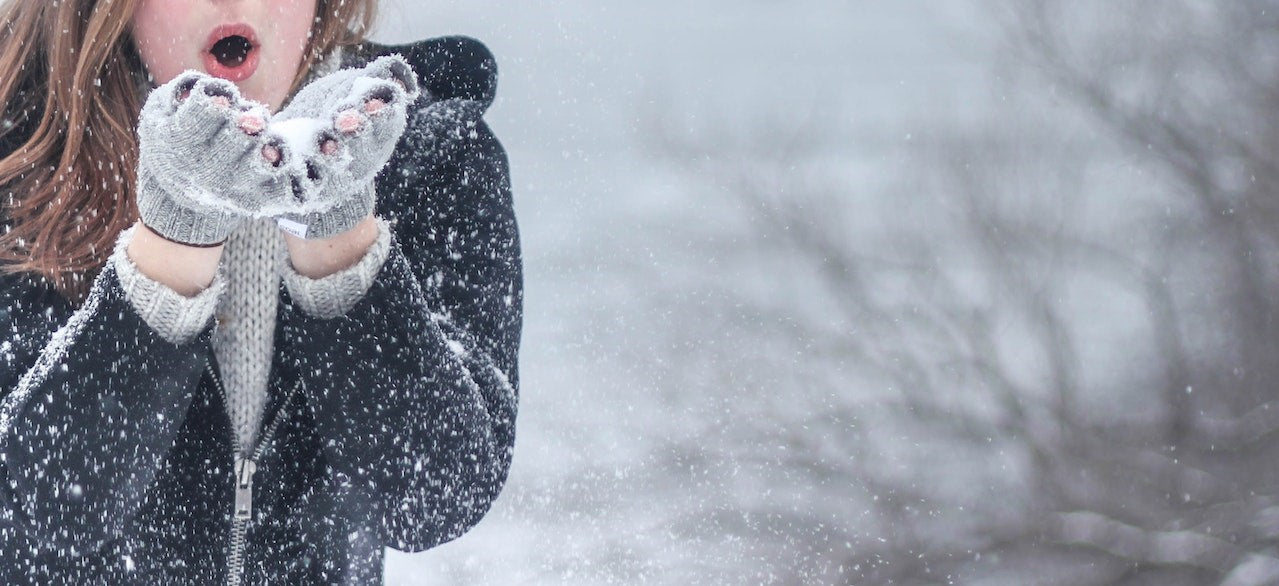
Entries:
{"x":176,"y":318}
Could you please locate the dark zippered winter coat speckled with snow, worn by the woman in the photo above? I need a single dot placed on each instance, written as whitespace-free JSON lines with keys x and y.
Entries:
{"x":398,"y":432}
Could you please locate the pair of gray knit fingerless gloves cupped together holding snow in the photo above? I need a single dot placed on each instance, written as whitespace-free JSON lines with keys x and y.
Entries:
{"x":210,"y":158}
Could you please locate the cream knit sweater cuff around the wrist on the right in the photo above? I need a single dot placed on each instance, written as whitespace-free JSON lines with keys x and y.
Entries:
{"x":336,"y":295}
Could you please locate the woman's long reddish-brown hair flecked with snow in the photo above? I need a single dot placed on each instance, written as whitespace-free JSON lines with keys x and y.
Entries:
{"x":71,"y":77}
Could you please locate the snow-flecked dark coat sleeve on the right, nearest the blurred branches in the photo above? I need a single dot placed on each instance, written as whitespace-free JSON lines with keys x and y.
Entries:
{"x":415,"y":390}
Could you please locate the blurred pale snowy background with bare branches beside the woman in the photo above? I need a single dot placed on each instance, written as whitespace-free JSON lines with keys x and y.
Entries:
{"x":863,"y":292}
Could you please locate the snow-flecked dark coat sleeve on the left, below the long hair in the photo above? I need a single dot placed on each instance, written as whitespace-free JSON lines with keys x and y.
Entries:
{"x":93,"y":400}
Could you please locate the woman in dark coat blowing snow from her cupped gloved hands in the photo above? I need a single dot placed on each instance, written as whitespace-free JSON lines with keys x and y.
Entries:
{"x":223,"y":401}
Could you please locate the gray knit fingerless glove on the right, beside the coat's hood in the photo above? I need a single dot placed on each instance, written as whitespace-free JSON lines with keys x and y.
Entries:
{"x":338,"y":132}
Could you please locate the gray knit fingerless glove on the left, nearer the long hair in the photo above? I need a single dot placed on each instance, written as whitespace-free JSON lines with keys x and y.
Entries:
{"x":201,"y":166}
